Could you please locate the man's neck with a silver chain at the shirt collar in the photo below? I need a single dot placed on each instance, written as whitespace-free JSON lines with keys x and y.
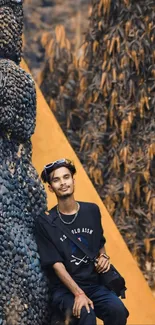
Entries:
{"x":67,"y":206}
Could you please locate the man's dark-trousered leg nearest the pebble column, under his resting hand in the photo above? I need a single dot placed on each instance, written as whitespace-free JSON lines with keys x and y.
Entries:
{"x":63,"y":300}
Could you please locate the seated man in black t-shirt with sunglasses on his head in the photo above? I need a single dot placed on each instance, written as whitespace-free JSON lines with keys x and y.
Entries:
{"x":74,"y":279}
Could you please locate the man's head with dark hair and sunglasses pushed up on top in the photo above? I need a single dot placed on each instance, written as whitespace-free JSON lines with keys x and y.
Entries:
{"x":59,"y":175}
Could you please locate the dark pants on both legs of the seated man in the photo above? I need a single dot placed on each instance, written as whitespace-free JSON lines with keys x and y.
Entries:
{"x":107,"y":306}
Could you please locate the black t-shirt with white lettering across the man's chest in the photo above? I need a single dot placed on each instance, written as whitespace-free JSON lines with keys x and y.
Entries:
{"x":54,"y":246}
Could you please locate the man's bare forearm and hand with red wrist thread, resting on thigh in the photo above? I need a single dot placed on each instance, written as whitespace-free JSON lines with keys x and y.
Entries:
{"x":81,"y":299}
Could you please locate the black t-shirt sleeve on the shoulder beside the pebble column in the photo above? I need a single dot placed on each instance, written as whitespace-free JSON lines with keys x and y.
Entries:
{"x":49,"y":255}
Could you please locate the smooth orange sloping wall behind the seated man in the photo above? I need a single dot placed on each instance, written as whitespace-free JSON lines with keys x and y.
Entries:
{"x":49,"y":143}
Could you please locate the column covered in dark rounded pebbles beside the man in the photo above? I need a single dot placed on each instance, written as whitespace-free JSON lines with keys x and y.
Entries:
{"x":23,"y":286}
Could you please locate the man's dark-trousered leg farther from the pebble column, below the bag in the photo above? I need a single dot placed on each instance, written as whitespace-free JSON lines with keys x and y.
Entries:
{"x":107,"y":305}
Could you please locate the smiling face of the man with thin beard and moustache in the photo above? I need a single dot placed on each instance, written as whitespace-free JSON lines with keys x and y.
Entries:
{"x":62,"y":182}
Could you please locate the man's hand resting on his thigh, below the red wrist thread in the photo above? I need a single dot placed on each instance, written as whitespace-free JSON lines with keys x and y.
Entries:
{"x":80,"y":301}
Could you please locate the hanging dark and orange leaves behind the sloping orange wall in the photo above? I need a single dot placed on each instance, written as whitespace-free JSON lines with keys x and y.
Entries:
{"x":106,"y":105}
